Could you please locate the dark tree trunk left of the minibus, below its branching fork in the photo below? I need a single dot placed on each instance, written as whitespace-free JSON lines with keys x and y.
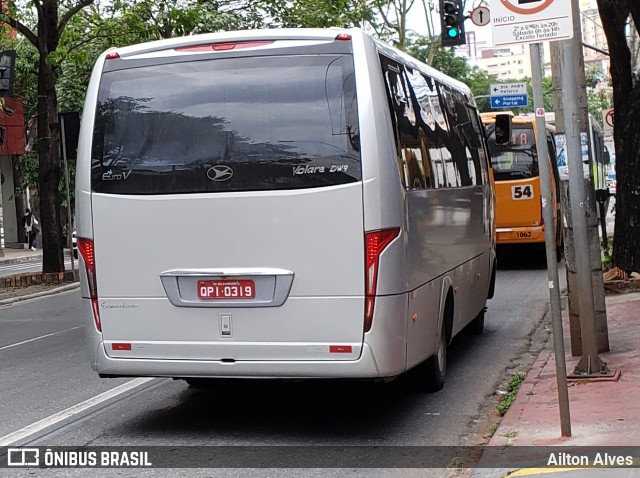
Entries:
{"x":49,"y":172}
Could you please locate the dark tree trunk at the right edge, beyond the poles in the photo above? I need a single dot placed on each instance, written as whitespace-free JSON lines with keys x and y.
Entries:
{"x":626,"y":103}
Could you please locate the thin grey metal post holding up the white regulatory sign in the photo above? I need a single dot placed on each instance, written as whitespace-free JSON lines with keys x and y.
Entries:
{"x":550,"y":239}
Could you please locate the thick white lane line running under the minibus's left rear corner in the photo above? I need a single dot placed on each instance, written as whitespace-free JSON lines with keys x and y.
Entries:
{"x":71,"y":411}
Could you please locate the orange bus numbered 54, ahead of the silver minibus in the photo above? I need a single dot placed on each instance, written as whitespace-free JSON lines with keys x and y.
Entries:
{"x":517,"y":182}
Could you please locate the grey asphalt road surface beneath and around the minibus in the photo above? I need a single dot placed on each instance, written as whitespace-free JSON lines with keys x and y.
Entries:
{"x":44,"y":371}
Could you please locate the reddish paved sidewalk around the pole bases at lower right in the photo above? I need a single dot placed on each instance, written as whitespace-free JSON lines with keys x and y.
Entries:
{"x":603,"y":413}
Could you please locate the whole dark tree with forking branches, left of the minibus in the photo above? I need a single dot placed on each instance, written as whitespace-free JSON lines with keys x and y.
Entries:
{"x":48,"y":25}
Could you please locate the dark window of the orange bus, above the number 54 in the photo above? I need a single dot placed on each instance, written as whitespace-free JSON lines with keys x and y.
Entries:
{"x":516,"y":160}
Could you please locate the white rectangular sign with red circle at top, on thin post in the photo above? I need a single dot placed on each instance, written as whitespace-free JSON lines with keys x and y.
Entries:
{"x":530,"y":21}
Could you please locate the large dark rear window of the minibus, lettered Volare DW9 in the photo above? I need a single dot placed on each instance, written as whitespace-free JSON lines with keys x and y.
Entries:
{"x":222,"y":125}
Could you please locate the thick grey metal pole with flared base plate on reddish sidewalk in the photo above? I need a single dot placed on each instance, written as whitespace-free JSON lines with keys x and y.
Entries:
{"x":590,"y":364}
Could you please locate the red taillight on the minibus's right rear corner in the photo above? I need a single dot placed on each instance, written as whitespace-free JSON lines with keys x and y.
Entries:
{"x":375,"y":243}
